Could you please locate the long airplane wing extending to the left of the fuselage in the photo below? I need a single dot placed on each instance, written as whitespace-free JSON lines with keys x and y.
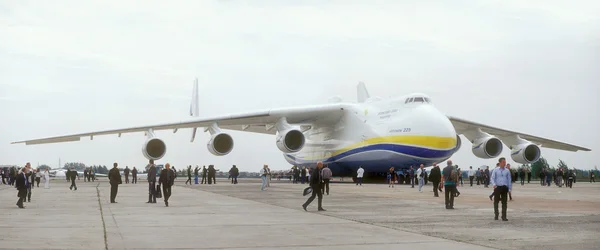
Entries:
{"x":258,"y":122}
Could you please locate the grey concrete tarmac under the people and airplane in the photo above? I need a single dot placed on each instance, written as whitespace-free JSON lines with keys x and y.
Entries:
{"x":226,"y":216}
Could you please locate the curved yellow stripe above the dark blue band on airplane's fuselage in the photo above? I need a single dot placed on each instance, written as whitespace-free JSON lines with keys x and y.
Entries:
{"x":434,"y":142}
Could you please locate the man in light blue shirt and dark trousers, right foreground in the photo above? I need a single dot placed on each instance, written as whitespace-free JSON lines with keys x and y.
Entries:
{"x":502,"y":184}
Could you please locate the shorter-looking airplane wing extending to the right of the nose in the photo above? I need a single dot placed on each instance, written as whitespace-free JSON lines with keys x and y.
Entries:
{"x":466,"y":128}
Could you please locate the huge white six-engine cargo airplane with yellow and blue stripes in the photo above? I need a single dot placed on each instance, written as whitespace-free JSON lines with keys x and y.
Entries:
{"x":374,"y":133}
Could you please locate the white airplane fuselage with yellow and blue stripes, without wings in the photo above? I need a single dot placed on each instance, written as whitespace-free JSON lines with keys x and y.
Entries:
{"x":380,"y":134}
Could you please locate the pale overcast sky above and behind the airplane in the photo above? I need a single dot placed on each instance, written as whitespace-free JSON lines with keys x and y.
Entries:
{"x":80,"y":66}
